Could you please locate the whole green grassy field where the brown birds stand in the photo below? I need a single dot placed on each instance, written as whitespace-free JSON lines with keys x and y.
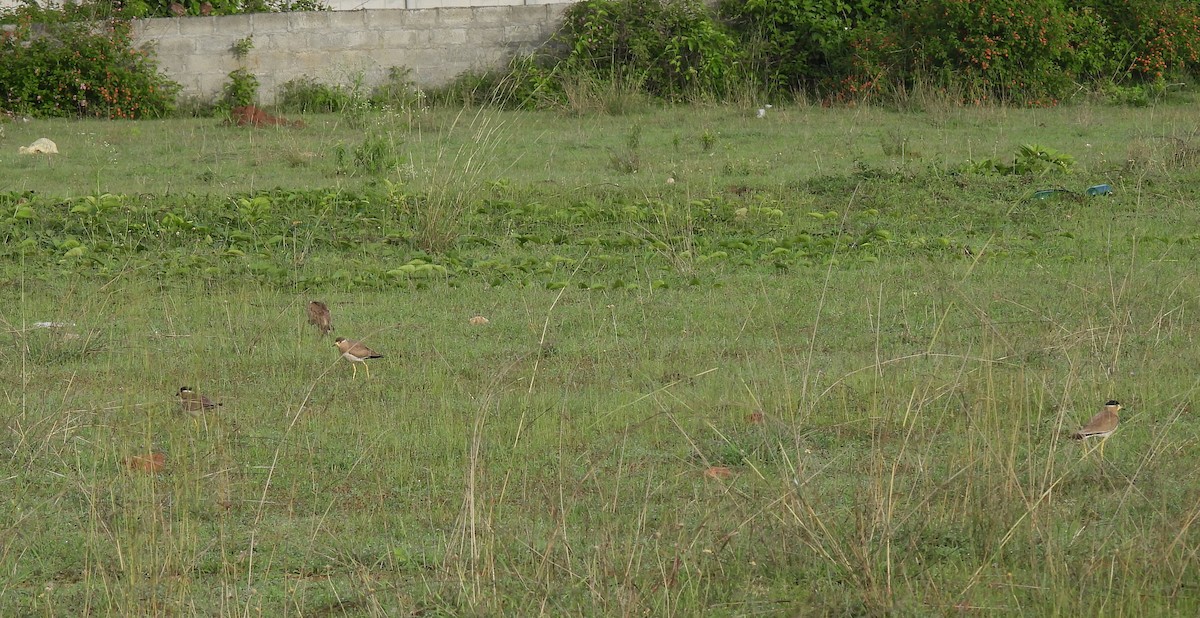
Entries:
{"x":814,"y":364}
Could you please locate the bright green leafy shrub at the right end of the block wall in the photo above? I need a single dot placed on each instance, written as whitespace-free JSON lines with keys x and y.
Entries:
{"x":676,"y":46}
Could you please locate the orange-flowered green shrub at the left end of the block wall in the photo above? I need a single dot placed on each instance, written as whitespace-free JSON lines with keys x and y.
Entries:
{"x":56,"y":67}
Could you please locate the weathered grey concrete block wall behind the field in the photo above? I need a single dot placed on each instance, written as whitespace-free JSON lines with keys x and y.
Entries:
{"x":437,"y":45}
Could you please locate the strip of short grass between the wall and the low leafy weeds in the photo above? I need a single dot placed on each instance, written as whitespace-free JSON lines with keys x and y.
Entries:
{"x":575,"y":153}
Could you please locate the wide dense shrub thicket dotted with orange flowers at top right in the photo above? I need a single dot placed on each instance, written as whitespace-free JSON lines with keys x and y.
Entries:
{"x":1029,"y":52}
